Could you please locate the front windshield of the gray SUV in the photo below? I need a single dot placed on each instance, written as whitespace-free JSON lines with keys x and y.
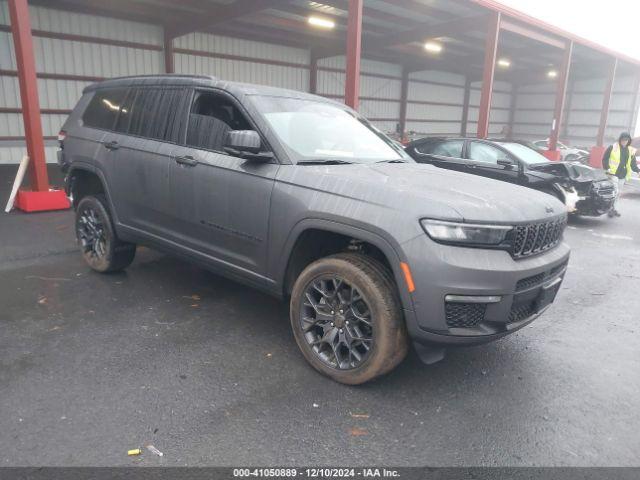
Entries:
{"x":317,"y":131}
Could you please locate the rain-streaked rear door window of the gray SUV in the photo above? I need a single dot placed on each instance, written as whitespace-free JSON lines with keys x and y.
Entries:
{"x":153,"y":113}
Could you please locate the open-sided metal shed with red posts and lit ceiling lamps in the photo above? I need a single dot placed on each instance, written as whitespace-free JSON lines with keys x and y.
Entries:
{"x":418,"y":67}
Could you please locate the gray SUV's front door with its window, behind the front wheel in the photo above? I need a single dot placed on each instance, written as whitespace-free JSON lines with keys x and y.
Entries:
{"x":220,"y":203}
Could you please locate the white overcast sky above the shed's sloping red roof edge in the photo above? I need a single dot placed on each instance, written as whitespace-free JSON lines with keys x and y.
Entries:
{"x":612,"y":23}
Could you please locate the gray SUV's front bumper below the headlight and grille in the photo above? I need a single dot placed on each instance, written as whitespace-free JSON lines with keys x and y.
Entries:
{"x":470,"y":296}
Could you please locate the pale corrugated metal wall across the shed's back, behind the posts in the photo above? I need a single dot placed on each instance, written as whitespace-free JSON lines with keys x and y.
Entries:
{"x":83,"y":53}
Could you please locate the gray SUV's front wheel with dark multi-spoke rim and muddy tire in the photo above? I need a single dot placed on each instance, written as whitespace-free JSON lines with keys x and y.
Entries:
{"x":347,"y":319}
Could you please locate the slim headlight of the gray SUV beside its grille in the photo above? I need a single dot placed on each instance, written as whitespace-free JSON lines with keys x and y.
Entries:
{"x":465,"y":233}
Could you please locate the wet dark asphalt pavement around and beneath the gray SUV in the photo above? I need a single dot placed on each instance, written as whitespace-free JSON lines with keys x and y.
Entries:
{"x":207,"y":370}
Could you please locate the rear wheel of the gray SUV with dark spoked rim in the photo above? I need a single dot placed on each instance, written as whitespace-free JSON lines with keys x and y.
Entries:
{"x":101,"y":248}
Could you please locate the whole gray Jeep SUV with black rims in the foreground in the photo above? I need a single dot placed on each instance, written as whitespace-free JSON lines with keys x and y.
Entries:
{"x":303,"y":198}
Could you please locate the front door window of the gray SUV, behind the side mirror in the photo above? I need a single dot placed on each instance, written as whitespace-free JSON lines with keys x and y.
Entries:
{"x":211,"y":117}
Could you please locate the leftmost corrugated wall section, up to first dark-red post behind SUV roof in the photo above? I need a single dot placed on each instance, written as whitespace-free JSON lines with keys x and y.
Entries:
{"x":68,"y":58}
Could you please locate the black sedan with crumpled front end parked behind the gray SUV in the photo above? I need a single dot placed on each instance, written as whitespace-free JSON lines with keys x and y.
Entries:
{"x":583,"y":189}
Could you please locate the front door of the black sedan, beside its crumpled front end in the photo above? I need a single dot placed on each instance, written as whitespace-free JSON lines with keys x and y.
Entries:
{"x":483,"y":160}
